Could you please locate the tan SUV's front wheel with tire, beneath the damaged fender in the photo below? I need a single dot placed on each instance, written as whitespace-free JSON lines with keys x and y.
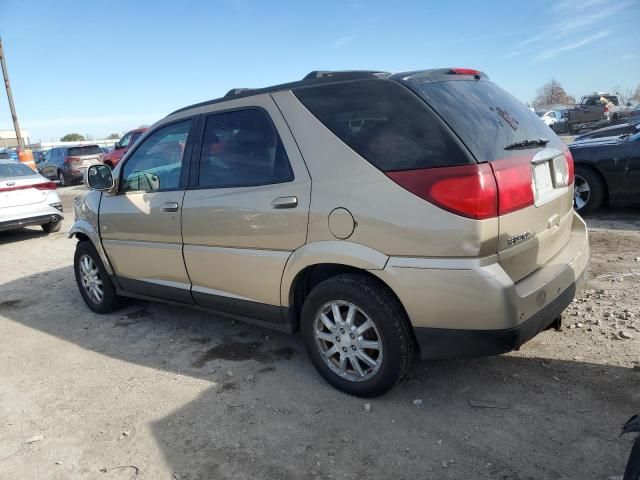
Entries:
{"x":93,"y":280}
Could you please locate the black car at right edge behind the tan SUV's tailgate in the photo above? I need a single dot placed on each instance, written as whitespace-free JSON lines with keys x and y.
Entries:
{"x":607,"y":171}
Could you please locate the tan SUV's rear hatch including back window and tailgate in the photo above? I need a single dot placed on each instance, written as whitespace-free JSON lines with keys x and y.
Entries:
{"x":533,"y":169}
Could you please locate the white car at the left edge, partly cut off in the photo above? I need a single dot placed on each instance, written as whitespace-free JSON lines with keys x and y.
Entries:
{"x":27,"y":198}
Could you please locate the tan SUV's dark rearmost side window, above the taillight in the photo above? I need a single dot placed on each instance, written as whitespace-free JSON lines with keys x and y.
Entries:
{"x":384,"y":123}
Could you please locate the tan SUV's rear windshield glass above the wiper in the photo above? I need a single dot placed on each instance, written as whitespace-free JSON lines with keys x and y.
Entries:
{"x":486,"y":118}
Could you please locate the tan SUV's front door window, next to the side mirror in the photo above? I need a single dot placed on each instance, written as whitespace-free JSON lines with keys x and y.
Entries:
{"x":156,"y":164}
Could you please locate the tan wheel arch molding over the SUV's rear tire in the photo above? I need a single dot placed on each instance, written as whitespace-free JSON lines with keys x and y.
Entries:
{"x":330,"y":251}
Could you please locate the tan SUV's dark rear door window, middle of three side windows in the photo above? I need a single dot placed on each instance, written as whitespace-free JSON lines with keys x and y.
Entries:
{"x":242,"y":148}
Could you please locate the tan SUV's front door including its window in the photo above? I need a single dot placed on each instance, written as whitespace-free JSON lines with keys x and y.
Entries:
{"x":140,"y":225}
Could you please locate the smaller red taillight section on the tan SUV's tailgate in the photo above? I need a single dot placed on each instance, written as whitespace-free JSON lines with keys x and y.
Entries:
{"x":514,"y":179}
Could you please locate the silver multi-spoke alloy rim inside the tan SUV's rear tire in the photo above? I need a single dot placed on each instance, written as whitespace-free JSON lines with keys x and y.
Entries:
{"x":348,"y":340}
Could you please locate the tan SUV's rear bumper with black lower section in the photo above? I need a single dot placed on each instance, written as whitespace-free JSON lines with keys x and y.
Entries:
{"x":471,"y":307}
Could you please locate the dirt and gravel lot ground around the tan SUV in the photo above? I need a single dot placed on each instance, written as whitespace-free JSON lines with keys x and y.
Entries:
{"x":170,"y":393}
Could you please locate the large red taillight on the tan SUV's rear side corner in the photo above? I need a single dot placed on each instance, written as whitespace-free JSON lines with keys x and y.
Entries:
{"x":467,"y":190}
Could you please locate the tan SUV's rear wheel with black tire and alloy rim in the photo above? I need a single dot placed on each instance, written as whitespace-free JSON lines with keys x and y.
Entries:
{"x":357,"y":335}
